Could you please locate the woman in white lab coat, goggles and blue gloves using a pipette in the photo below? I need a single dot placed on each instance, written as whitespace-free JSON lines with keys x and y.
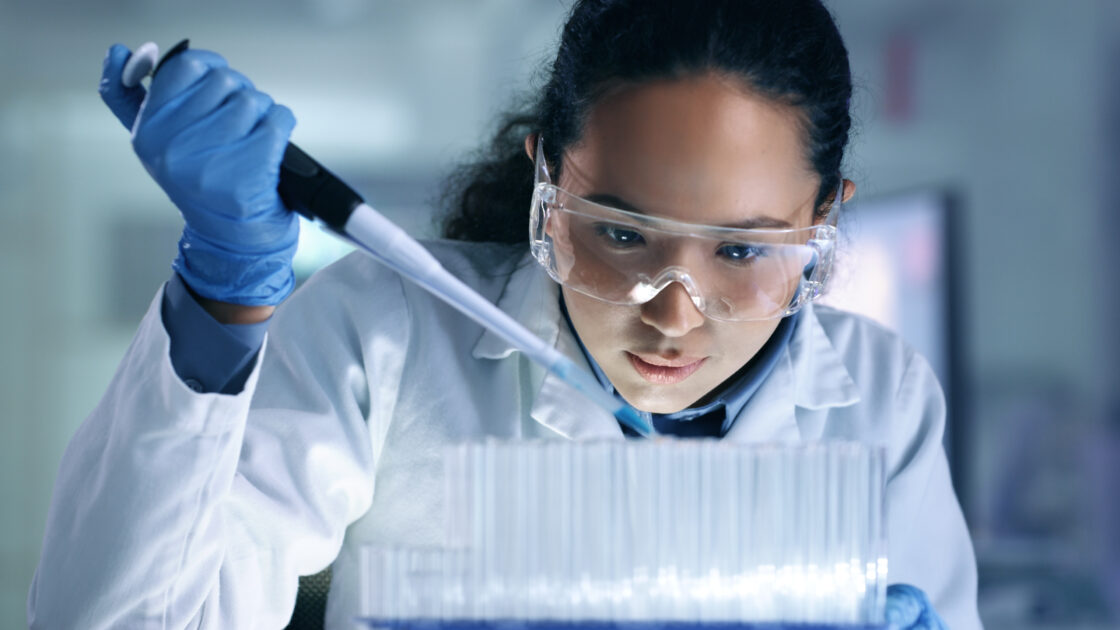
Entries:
{"x":223,"y":464}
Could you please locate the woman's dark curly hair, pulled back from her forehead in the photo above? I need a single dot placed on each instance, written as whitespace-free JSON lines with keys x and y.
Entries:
{"x":788,"y":51}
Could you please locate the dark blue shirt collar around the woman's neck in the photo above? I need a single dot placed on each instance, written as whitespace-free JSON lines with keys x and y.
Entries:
{"x":716,"y":418}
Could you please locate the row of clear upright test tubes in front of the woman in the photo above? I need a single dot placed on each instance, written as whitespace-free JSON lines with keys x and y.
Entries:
{"x":666,"y":531}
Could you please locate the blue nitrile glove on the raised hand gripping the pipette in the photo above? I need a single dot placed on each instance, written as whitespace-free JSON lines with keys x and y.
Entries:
{"x":214,"y":144}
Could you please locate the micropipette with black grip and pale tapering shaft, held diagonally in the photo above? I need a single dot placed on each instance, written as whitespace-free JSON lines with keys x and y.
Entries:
{"x":313,"y":191}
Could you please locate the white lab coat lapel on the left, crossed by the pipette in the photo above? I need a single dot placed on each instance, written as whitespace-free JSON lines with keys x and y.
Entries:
{"x":533,"y":299}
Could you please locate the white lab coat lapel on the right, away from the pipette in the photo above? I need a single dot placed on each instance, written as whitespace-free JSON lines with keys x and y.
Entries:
{"x":809,"y":375}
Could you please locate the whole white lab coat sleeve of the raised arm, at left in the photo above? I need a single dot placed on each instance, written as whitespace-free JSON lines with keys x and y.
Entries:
{"x":178,"y":509}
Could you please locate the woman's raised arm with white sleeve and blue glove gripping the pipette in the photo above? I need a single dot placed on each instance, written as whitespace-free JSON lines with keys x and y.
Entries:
{"x":175,"y":508}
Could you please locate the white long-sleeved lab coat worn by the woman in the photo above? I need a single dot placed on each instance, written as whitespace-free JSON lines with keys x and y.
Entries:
{"x":176,"y":509}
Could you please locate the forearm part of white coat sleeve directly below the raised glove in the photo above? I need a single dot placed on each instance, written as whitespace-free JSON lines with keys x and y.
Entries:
{"x":132,"y":486}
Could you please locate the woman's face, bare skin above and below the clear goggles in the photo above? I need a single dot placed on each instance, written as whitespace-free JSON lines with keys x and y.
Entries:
{"x":703,"y":151}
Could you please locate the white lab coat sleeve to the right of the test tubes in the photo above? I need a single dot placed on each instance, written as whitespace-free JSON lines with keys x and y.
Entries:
{"x":930,"y":543}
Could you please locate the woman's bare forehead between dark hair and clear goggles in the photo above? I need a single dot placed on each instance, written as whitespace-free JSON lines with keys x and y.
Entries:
{"x":702,"y":150}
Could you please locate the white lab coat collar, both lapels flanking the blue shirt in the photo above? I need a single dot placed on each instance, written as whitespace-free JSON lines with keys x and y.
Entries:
{"x":809,"y":375}
